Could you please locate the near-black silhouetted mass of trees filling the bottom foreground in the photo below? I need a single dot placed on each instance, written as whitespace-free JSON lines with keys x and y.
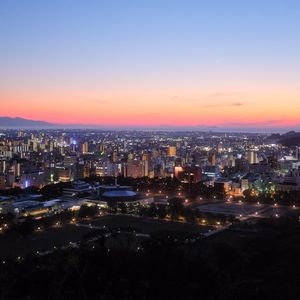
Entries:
{"x":233,"y":265}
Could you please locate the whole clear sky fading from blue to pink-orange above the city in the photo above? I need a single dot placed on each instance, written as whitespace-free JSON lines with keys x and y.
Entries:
{"x":233,"y":63}
